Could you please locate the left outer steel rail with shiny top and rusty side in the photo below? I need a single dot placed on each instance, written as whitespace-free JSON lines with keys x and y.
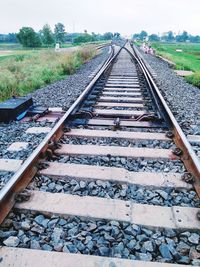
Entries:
{"x":29,"y":168}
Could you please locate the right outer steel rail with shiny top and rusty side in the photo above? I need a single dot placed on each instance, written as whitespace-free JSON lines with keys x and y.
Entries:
{"x":189,"y":157}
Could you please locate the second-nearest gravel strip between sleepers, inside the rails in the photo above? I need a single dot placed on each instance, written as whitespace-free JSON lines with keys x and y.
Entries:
{"x":137,"y":194}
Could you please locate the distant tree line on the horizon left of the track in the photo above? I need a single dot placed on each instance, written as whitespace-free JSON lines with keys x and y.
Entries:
{"x":46,"y":37}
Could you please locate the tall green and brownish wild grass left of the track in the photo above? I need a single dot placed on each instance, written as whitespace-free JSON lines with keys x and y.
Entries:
{"x":24,"y":73}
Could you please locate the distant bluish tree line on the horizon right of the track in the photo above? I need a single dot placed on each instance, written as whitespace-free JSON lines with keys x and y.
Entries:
{"x":167,"y":37}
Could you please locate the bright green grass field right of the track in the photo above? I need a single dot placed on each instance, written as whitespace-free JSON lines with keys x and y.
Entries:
{"x":188,"y":59}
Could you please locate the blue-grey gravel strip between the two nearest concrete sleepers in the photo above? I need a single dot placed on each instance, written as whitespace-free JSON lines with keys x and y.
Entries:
{"x":101,"y":237}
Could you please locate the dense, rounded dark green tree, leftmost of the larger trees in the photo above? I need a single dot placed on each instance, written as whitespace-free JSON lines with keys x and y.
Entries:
{"x":28,"y":37}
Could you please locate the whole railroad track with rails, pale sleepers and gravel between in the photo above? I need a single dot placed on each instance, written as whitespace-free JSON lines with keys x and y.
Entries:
{"x":112,"y":184}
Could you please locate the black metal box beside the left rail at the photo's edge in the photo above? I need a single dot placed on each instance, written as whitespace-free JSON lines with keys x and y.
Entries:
{"x":12,"y":108}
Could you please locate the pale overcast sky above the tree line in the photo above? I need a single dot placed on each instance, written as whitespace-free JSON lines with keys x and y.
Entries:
{"x":124,"y":16}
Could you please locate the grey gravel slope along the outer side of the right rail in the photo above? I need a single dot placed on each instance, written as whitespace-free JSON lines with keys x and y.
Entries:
{"x":182,"y":97}
